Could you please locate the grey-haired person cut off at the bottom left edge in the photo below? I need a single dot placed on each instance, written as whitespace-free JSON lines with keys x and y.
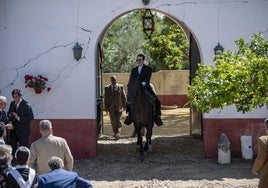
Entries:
{"x":5,"y":163}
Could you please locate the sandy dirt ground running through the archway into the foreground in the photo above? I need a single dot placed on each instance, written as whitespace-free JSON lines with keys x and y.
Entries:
{"x":176,"y":162}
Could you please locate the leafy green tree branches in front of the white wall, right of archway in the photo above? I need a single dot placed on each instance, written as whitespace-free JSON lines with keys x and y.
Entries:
{"x":237,"y":78}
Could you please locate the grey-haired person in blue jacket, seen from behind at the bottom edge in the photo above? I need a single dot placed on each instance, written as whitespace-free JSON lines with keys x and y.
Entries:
{"x":60,"y":178}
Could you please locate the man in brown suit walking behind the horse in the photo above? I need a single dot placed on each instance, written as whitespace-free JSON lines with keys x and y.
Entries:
{"x":115,"y":103}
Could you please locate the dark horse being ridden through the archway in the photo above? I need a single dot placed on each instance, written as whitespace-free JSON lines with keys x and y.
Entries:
{"x":141,"y":113}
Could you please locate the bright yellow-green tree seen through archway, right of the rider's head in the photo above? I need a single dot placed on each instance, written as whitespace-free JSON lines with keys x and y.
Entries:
{"x":169,"y":48}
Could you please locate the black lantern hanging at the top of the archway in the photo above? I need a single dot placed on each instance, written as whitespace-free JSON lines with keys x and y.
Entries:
{"x":148,"y":23}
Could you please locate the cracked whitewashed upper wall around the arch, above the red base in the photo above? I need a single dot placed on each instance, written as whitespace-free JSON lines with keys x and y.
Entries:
{"x":36,"y":37}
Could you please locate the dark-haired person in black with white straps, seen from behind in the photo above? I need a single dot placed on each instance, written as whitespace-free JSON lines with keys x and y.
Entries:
{"x":22,"y":176}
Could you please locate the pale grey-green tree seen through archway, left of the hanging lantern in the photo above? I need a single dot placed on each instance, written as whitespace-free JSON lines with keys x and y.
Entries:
{"x":122,"y":42}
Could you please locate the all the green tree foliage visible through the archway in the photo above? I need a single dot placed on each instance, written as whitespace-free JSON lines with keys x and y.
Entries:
{"x":168,"y":48}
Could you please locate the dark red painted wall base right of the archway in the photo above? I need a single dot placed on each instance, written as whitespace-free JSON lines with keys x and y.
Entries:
{"x":234,"y":129}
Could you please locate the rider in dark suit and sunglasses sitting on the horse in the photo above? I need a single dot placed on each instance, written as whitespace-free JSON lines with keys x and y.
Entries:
{"x":144,"y":73}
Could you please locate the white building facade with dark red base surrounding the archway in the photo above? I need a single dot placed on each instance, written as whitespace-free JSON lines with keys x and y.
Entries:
{"x":37,"y":37}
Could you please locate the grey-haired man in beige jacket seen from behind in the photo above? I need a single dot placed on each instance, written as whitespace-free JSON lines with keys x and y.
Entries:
{"x":47,"y":146}
